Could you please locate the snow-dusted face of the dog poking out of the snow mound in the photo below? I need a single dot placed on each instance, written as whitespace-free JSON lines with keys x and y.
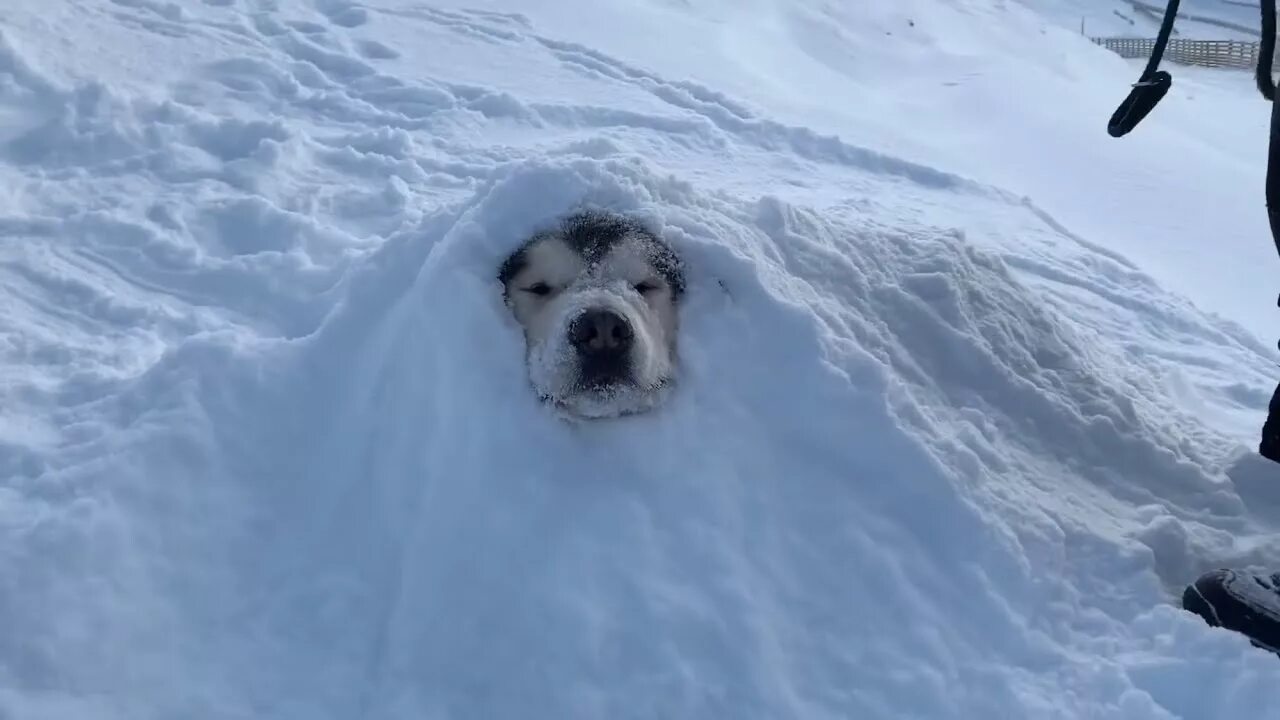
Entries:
{"x":598,"y":299}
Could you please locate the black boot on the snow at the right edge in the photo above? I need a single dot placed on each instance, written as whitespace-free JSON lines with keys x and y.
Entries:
{"x":1240,"y":601}
